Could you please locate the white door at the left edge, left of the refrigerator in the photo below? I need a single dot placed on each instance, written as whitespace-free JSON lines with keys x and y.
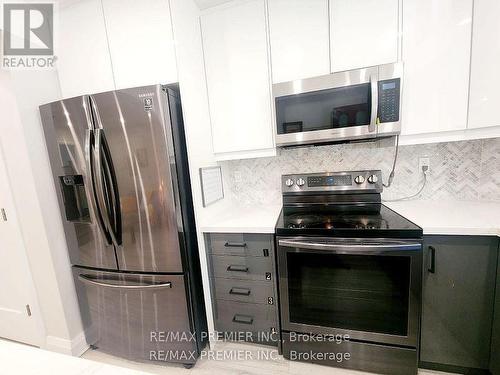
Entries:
{"x":17,"y":298}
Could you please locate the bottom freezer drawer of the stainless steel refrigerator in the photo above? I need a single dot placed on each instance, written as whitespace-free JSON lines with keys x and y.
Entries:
{"x":136,"y":316}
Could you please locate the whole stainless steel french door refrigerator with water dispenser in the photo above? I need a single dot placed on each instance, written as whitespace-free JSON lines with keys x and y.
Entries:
{"x":120,"y":168}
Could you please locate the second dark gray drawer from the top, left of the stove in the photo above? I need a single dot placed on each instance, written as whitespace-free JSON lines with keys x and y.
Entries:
{"x":242,"y":268}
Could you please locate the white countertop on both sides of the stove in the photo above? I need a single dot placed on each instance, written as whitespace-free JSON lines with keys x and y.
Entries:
{"x":435,"y":217}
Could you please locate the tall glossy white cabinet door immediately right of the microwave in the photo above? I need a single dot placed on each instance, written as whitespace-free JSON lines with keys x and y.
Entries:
{"x":436,"y":56}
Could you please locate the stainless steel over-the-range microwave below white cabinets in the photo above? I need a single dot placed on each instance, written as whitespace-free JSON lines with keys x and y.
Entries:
{"x":352,"y":105}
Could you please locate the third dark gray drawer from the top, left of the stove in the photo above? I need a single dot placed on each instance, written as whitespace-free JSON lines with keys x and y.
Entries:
{"x":261,"y":292}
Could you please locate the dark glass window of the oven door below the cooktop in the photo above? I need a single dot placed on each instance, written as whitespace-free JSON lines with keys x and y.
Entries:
{"x":354,"y":292}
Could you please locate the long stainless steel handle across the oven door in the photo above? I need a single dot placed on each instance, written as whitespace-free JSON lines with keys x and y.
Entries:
{"x":338,"y":247}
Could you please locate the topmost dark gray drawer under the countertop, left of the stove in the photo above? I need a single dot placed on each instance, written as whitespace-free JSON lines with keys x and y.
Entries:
{"x":258,"y":245}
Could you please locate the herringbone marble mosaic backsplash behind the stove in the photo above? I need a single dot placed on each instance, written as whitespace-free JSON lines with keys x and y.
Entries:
{"x":464,"y":170}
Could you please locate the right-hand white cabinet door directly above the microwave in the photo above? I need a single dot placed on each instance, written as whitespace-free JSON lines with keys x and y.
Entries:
{"x":363,"y":33}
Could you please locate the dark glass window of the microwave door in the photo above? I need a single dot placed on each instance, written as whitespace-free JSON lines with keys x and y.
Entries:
{"x":326,"y":109}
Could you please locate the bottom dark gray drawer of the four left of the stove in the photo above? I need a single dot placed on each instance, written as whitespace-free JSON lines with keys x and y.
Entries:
{"x":247,"y":321}
